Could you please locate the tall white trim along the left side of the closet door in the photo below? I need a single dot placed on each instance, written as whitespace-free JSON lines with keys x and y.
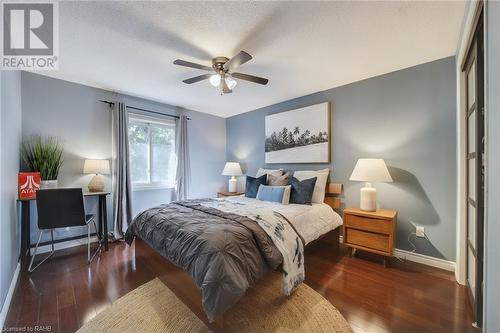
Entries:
{"x":461,"y":231}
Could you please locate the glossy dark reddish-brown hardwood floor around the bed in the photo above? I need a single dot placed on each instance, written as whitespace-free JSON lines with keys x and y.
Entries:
{"x":66,"y":292}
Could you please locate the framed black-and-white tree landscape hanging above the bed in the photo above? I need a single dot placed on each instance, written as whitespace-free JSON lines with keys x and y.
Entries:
{"x":299,"y":136}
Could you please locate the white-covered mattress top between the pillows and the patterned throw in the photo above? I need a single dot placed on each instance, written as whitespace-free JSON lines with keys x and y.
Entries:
{"x":310,"y":221}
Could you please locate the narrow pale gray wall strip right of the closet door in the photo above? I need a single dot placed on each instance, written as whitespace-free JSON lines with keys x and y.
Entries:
{"x":492,"y":225}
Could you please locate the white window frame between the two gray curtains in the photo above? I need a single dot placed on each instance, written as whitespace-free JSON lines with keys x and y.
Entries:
{"x":162,"y":121}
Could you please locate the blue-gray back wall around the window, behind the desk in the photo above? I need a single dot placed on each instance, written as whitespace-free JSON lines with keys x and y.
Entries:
{"x":73,"y":113}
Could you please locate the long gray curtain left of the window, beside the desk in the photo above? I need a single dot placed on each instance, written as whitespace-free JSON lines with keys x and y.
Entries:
{"x":122,"y":190}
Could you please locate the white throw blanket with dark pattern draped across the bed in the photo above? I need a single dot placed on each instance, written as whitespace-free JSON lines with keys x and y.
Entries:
{"x":281,"y":232}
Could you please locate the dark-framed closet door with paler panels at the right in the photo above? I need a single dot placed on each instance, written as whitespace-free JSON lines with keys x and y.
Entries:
{"x":474,"y":73}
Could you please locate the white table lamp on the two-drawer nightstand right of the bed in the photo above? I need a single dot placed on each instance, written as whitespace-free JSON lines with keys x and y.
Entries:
{"x":370,"y":170}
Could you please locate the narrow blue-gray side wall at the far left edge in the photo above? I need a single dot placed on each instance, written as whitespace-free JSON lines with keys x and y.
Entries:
{"x":9,"y":157}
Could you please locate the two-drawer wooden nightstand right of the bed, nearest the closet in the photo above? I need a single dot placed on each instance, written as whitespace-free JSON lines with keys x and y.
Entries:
{"x":370,"y":231}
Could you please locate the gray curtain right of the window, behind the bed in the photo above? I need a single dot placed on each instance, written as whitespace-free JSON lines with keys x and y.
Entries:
{"x":183,"y":175}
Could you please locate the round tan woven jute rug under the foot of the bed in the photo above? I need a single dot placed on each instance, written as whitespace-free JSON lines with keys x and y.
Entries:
{"x":153,"y":307}
